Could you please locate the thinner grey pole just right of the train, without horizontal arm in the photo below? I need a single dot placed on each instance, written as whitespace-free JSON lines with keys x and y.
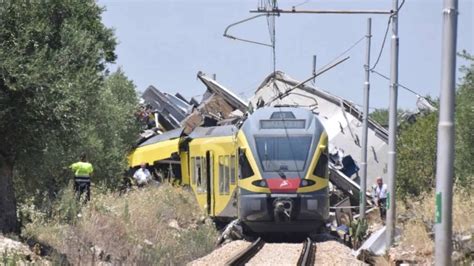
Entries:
{"x":365,"y":124}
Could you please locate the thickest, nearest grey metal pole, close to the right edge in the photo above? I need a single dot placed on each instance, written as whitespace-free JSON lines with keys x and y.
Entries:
{"x":445,"y":151}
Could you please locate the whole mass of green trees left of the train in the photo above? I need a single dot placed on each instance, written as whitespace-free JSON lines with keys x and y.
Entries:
{"x":56,"y":99}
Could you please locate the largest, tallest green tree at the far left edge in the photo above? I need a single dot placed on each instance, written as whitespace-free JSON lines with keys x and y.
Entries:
{"x":52,"y":58}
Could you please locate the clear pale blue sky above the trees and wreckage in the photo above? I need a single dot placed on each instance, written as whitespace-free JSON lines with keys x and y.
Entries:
{"x":165,"y":43}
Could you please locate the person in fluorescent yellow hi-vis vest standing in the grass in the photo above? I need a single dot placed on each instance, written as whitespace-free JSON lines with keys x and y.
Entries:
{"x":82,"y":177}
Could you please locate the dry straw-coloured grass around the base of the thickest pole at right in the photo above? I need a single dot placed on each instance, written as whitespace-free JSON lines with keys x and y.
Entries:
{"x":416,"y":218}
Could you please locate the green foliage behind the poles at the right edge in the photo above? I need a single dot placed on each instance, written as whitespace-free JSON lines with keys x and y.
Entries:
{"x":417,"y":143}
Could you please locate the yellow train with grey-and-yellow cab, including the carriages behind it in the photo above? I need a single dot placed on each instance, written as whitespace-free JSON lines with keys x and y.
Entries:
{"x":271,"y":173}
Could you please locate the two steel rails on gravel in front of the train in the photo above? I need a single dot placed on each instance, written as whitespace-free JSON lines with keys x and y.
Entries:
{"x":306,"y":257}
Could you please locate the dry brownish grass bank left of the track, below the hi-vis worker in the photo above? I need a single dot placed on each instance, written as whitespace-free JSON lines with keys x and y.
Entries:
{"x":156,"y":225}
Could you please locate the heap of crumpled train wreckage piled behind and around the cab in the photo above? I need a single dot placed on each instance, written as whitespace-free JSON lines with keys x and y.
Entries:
{"x":175,"y":116}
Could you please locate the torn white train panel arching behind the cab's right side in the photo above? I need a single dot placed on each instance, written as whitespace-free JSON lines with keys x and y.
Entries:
{"x":343,"y":123}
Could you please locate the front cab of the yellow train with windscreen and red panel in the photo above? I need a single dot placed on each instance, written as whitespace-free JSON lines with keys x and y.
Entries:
{"x":283,"y":171}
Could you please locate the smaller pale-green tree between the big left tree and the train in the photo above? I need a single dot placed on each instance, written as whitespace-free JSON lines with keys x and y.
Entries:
{"x":109,"y":136}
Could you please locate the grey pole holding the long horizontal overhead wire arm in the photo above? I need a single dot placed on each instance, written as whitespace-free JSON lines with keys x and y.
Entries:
{"x":392,"y":129}
